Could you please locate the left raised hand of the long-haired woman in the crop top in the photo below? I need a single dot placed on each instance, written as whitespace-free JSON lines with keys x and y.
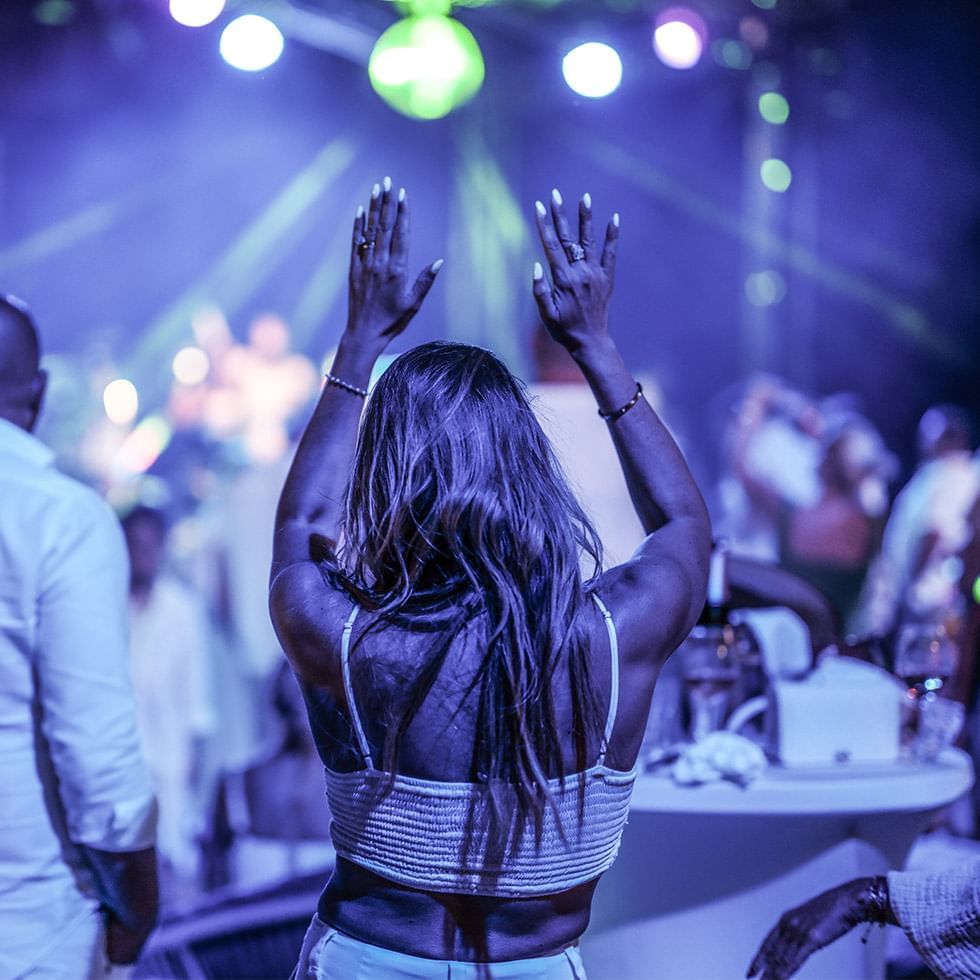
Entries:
{"x":382,"y":301}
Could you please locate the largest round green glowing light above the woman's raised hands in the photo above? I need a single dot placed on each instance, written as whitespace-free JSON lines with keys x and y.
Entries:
{"x":426,"y":66}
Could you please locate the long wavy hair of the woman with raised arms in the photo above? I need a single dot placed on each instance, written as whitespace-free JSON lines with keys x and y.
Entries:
{"x":458,"y":514}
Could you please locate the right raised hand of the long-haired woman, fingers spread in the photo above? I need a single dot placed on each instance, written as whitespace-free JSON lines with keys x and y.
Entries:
{"x":575,"y":306}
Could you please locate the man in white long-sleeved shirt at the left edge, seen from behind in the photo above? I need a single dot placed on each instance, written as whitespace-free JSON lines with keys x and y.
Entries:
{"x":77,"y":816}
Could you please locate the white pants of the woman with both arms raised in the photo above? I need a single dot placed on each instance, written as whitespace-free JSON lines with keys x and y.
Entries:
{"x":330,"y":955}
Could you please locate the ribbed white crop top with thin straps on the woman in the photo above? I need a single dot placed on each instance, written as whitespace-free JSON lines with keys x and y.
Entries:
{"x":414,"y":831}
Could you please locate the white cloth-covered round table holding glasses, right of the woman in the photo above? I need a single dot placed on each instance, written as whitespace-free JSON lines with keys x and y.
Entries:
{"x":704,"y":872}
